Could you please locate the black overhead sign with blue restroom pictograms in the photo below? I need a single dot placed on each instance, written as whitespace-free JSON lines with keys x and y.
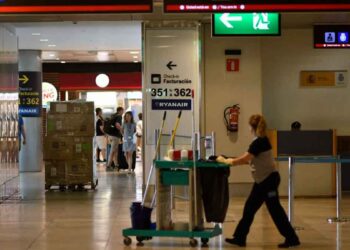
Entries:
{"x":331,"y":36}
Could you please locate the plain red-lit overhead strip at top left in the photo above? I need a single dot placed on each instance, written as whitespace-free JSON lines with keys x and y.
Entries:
{"x":75,"y":6}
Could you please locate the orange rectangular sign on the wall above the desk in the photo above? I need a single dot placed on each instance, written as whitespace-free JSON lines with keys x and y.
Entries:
{"x":323,"y":78}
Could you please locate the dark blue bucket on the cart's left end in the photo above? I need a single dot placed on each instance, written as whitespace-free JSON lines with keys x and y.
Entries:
{"x":140,"y":216}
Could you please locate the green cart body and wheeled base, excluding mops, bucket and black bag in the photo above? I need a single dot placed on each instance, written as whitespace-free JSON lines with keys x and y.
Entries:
{"x":178,"y":173}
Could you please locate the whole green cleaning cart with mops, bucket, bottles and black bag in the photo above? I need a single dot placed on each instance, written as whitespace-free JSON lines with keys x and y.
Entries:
{"x":188,"y":172}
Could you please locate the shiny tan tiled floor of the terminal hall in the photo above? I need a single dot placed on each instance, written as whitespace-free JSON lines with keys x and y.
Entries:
{"x":94,"y":220}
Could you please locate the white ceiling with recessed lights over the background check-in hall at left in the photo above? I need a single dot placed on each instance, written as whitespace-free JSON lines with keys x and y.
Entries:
{"x":82,"y":41}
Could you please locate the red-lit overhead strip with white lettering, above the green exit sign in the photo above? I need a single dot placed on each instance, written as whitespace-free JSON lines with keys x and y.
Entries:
{"x":216,"y":6}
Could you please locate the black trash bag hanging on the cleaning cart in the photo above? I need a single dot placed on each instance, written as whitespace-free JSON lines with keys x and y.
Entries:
{"x":215,"y":193}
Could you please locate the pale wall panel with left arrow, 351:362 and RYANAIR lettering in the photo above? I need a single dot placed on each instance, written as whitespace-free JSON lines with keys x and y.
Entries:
{"x":171,"y":80}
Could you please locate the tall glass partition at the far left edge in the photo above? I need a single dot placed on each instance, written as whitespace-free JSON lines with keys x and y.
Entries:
{"x":9,"y":146}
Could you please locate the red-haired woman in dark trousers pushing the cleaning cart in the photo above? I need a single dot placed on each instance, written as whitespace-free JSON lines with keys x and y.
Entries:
{"x":265,"y":188}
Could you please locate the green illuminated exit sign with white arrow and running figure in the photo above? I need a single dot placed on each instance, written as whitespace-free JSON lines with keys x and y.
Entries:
{"x":246,"y":24}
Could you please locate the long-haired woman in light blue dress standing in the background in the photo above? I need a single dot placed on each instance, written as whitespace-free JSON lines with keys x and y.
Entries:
{"x":129,"y":129}
